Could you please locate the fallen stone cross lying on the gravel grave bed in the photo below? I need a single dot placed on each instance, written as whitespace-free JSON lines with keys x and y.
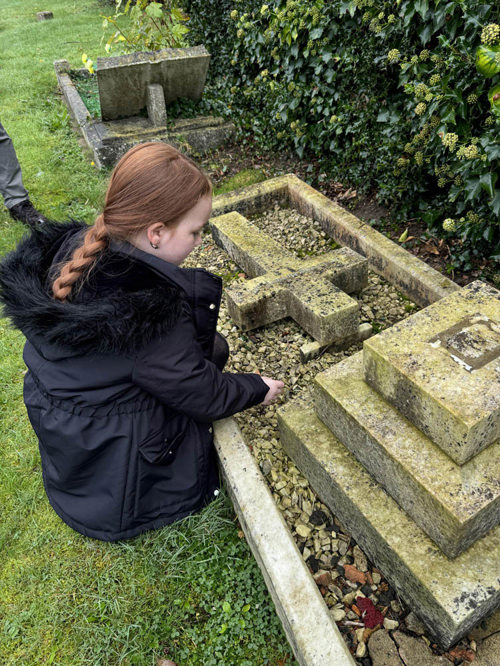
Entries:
{"x":312,"y":291}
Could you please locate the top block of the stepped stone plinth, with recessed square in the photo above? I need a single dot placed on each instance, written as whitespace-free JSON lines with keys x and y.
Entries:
{"x":415,"y":365}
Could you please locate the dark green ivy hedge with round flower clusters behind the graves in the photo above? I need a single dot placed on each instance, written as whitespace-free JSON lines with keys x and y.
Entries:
{"x":387,"y":96}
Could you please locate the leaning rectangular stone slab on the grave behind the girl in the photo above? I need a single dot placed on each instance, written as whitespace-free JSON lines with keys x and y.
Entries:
{"x":123,"y":80}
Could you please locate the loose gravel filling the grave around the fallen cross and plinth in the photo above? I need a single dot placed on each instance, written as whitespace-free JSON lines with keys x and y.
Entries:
{"x":340,"y":568}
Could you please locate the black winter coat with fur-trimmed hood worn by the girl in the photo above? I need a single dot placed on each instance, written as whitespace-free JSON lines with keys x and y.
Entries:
{"x":120,"y":389}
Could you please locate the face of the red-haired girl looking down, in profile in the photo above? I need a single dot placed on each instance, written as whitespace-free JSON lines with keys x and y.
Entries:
{"x":175,"y":243}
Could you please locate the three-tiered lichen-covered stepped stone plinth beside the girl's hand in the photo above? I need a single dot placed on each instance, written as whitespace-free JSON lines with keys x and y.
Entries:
{"x":401,"y":442}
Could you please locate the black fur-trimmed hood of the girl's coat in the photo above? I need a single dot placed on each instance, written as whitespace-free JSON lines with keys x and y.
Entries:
{"x":126,"y":302}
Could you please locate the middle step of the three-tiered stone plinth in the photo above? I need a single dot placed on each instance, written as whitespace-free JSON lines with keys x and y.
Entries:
{"x":455,"y":505}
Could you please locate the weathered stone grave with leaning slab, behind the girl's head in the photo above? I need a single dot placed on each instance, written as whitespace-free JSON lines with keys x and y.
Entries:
{"x":134,"y":90}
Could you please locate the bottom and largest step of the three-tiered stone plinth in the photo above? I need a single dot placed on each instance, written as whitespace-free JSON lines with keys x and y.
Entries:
{"x":449,"y":596}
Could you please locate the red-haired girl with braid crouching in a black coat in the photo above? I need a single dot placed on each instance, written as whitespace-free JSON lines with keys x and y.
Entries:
{"x":124,"y":362}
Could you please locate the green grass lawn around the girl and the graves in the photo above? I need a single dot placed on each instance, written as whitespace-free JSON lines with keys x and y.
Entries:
{"x":191,"y":591}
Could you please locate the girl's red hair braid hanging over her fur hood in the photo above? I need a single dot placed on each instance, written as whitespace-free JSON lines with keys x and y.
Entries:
{"x":94,"y":242}
